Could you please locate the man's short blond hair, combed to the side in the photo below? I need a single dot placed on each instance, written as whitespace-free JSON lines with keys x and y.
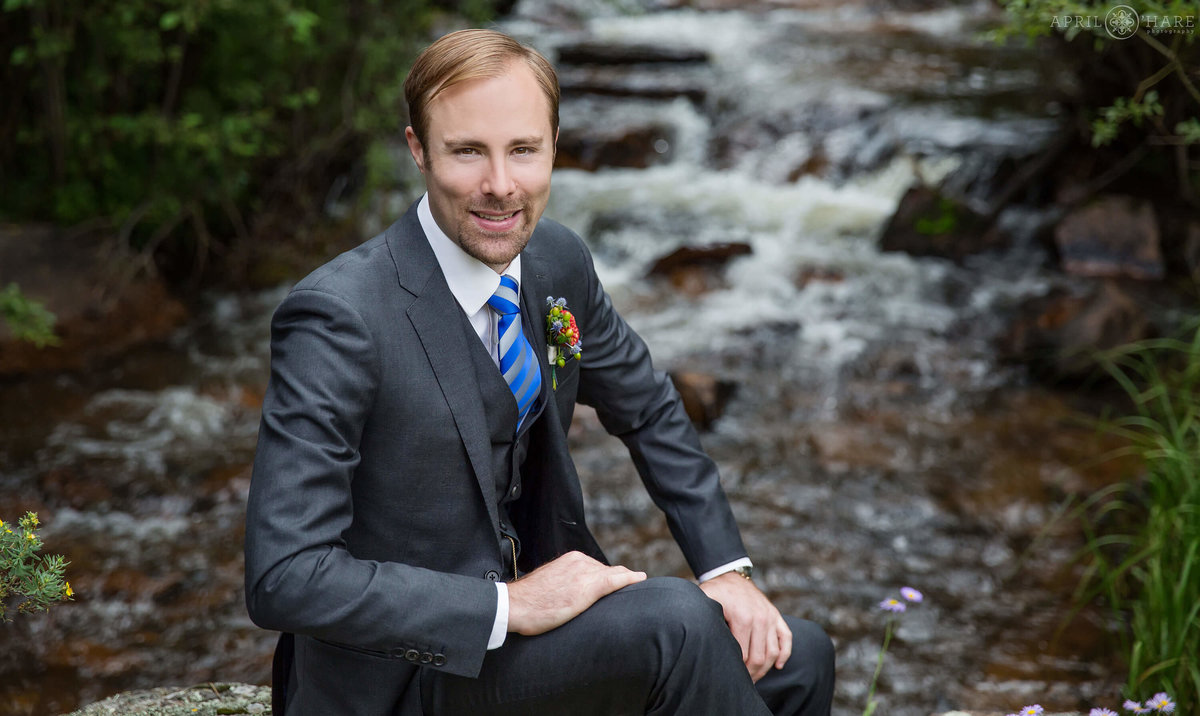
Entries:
{"x":472,"y":55}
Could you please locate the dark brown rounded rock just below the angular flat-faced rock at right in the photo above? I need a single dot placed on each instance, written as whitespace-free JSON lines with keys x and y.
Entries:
{"x":1058,"y":335}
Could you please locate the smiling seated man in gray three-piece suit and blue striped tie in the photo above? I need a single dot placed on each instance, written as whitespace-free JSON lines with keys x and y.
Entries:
{"x":416,"y":524}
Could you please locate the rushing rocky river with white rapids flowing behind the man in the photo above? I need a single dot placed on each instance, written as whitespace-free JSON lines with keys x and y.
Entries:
{"x":872,"y":438}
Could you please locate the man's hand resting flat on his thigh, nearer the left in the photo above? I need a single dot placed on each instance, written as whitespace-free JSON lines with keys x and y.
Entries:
{"x":561,"y":591}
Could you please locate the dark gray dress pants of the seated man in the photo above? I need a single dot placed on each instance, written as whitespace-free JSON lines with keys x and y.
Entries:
{"x":661,"y":648}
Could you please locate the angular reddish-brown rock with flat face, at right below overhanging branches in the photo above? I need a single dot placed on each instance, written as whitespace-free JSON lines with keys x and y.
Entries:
{"x":1112,"y":237}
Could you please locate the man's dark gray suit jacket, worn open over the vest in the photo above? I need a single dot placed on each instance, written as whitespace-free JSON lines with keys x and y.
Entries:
{"x":371,"y":530}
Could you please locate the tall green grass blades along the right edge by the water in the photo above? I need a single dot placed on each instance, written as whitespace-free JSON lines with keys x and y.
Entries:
{"x":1144,"y":537}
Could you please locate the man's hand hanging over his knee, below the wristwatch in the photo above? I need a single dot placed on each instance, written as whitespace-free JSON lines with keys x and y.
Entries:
{"x":757,"y":624}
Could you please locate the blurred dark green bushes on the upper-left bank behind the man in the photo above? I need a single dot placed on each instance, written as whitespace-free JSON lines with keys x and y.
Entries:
{"x":171,"y":119}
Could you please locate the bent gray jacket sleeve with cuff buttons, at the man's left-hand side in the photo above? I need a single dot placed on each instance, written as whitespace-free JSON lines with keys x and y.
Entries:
{"x":301,"y":577}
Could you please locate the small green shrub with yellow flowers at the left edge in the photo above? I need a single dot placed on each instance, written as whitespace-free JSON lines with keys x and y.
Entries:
{"x":29,"y":582}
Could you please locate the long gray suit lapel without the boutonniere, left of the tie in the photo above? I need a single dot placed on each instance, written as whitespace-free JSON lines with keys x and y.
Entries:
{"x":437,"y":320}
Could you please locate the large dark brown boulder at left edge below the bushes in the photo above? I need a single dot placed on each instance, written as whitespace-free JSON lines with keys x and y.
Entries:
{"x":100,"y":312}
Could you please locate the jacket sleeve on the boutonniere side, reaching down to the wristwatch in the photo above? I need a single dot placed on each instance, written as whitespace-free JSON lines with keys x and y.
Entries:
{"x":641,"y":406}
